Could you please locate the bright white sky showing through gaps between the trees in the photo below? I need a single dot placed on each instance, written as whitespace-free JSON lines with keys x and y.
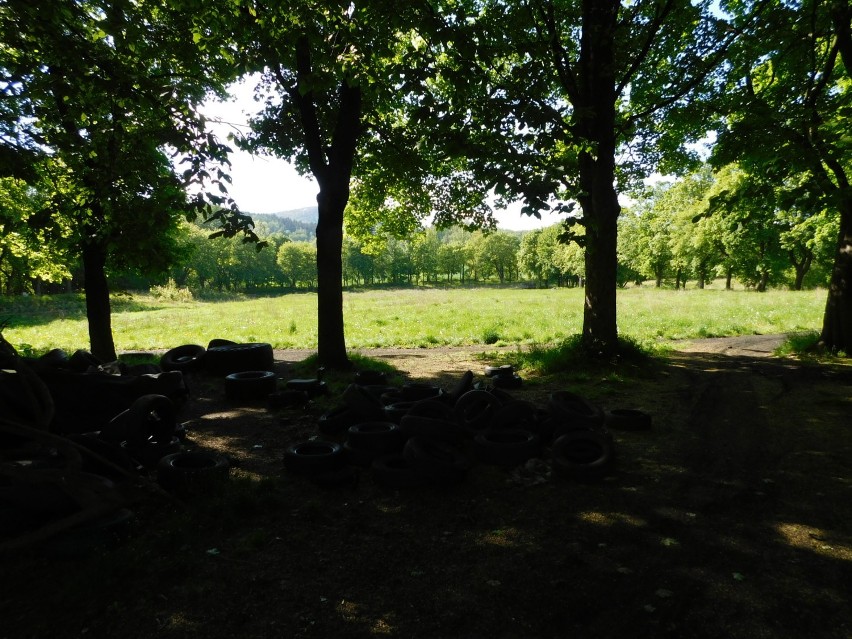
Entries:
{"x":270,"y":185}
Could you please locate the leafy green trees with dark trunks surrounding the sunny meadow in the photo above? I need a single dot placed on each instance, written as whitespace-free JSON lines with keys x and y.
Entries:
{"x":421,"y":109}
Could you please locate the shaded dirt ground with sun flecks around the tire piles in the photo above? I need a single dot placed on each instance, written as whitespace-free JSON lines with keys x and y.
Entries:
{"x":730,"y":518}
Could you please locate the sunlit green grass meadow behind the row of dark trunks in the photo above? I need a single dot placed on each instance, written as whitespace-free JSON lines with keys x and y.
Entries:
{"x":412,"y":317}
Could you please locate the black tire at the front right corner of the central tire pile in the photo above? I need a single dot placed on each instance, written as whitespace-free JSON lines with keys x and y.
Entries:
{"x":582,"y":455}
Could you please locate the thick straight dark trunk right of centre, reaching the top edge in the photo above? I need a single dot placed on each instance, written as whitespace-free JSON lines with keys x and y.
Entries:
{"x":594,"y":122}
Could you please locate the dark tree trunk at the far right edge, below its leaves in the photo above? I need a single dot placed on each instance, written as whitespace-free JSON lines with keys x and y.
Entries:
{"x":837,"y":320}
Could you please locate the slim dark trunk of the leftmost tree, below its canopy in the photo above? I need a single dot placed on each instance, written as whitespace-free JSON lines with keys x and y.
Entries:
{"x":98,"y":312}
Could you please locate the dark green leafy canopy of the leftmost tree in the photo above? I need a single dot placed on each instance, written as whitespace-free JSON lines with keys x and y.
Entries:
{"x":103,"y":94}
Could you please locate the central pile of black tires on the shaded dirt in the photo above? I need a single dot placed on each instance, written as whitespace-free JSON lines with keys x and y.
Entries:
{"x":420,"y":435}
